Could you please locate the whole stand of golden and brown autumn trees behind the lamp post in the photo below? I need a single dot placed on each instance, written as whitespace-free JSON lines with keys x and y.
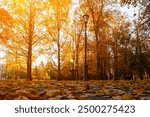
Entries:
{"x":118,"y":47}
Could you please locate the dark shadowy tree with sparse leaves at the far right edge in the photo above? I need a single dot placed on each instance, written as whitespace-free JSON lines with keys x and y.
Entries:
{"x":140,"y":36}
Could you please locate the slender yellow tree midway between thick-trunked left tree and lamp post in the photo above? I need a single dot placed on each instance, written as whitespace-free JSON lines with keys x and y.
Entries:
{"x":58,"y":12}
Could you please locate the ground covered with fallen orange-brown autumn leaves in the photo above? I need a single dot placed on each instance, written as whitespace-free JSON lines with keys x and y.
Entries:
{"x":74,"y":90}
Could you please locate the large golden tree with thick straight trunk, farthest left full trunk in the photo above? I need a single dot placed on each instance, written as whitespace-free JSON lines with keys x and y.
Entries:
{"x":27,"y":29}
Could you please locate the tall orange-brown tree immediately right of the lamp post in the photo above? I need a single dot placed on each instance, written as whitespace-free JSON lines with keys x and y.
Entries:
{"x":100,"y":27}
